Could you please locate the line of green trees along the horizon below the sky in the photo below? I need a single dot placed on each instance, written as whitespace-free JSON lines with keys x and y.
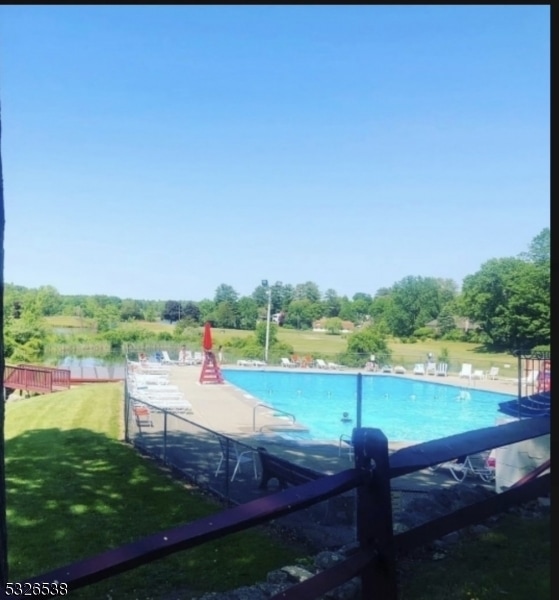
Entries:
{"x":505,"y":305}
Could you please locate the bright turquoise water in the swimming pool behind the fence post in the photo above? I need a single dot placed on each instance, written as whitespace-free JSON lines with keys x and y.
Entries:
{"x":404,"y":409}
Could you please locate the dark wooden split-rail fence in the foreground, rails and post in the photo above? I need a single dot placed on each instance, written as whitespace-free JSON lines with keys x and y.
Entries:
{"x":375,"y":559}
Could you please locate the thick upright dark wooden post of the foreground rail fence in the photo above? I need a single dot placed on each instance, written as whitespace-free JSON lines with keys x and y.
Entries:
{"x":374,"y":514}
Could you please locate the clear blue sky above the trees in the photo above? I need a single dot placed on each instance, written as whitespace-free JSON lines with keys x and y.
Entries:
{"x":156,"y":152}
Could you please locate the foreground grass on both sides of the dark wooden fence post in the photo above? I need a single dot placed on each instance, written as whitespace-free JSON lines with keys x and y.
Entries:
{"x":75,"y":490}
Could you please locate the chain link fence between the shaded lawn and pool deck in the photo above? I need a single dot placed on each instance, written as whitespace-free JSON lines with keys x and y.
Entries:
{"x":231,"y":470}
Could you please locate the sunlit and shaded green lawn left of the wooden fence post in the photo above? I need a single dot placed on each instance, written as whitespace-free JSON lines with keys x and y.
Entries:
{"x":74,"y":490}
